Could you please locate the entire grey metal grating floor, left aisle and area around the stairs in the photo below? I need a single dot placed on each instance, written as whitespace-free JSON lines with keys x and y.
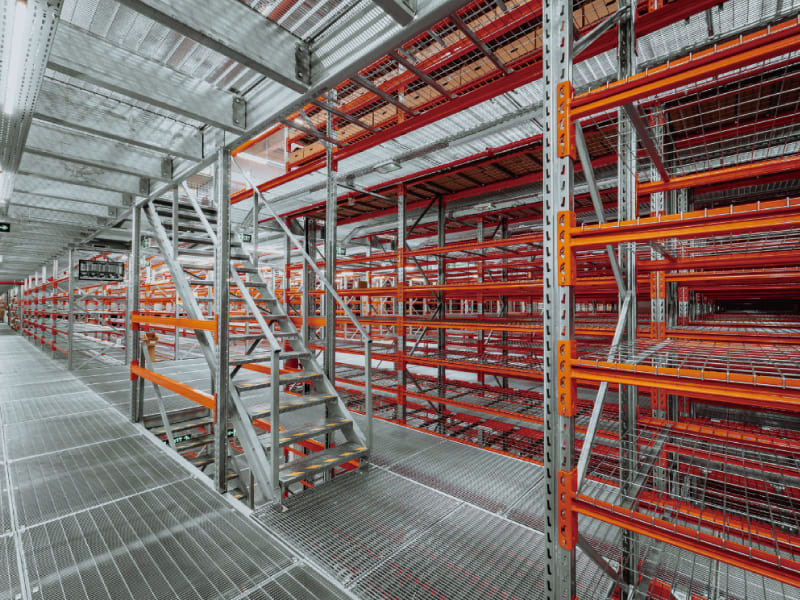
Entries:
{"x":99,"y":510}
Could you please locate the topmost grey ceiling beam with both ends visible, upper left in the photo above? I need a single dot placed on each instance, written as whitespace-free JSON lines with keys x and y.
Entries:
{"x":81,"y":55}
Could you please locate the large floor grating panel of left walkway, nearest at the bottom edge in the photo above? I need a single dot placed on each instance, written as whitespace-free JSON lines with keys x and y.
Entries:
{"x":165,"y":543}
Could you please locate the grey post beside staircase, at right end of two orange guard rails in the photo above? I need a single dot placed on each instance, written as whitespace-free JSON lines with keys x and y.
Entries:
{"x":222,"y":192}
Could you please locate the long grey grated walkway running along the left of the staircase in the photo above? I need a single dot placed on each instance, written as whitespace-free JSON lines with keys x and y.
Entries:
{"x":91,"y":507}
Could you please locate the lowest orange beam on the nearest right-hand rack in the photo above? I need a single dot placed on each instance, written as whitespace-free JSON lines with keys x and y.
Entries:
{"x":713,"y":547}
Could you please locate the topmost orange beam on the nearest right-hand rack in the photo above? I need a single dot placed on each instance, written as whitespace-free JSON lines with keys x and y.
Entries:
{"x":761,"y":45}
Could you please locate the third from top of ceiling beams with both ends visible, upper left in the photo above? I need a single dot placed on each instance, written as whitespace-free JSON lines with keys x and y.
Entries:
{"x":51,"y":140}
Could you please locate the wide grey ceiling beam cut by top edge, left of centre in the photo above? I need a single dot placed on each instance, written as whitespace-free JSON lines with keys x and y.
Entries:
{"x":233,"y":30}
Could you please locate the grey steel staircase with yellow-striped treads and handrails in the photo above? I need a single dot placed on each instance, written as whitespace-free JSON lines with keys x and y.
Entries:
{"x":261,"y":345}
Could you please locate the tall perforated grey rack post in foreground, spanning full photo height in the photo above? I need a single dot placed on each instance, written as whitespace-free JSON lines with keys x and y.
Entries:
{"x":559,"y":424}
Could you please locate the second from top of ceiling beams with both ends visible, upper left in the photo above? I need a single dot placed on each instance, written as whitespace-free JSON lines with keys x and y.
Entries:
{"x":82,"y":110}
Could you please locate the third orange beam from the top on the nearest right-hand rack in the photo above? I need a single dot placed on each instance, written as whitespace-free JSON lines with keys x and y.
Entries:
{"x":754,"y":391}
